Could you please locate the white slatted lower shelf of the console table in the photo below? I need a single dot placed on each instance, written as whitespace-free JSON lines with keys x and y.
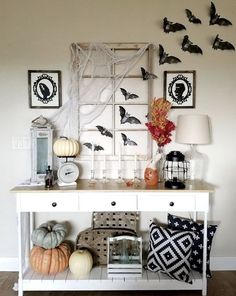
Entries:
{"x":98,"y":280}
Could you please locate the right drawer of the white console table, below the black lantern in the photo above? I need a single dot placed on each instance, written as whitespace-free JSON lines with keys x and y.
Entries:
{"x":149,"y":202}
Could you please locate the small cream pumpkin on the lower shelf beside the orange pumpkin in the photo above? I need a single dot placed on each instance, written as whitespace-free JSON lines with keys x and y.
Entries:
{"x":80,"y":263}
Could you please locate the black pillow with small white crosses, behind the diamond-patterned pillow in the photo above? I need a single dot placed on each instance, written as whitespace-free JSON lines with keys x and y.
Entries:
{"x":196,"y":259}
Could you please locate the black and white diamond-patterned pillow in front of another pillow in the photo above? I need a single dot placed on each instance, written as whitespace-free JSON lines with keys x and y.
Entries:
{"x":169,"y":252}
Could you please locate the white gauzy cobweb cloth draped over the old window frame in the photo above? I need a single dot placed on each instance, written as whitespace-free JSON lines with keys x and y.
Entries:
{"x":96,"y":62}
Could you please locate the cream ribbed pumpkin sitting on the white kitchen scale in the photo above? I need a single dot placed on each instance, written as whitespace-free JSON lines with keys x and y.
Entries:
{"x":64,"y":147}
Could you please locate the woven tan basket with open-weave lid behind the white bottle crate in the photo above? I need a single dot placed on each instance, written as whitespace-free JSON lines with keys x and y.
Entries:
{"x":106,"y":225}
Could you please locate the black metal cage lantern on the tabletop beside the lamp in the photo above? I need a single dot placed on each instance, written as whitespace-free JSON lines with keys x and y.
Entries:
{"x":175,"y":170}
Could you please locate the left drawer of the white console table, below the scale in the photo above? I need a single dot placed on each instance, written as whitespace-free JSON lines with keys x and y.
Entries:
{"x":51,"y":202}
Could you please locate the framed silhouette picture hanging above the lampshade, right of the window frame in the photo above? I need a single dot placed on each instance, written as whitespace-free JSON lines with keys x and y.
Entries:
{"x":179,"y":88}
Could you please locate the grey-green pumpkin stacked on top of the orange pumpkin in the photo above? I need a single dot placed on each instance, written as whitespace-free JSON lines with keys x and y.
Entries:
{"x":49,"y":235}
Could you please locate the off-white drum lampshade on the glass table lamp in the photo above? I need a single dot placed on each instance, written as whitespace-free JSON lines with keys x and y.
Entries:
{"x":193,"y":129}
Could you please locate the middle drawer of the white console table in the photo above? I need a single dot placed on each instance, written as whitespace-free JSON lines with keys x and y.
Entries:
{"x":108,"y":202}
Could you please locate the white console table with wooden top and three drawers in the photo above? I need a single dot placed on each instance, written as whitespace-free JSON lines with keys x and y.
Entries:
{"x":105,"y":197}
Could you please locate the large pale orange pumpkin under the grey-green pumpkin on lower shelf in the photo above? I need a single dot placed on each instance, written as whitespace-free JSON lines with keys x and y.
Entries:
{"x":50,"y":261}
